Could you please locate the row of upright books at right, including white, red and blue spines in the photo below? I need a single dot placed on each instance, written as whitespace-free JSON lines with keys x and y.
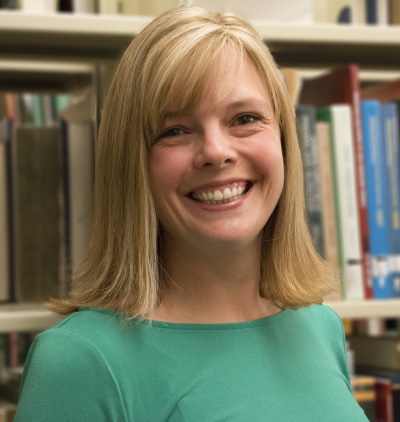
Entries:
{"x":350,"y":152}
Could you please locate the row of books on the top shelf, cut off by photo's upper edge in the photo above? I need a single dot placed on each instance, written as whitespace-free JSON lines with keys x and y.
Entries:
{"x":373,"y":12}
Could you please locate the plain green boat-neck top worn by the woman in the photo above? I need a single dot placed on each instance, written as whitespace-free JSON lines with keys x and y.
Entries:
{"x":287,"y":367}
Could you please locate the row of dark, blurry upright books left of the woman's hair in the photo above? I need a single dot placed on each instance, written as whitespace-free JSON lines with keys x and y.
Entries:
{"x":46,"y":193}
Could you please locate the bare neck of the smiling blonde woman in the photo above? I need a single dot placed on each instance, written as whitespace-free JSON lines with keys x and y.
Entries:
{"x":212,"y":287}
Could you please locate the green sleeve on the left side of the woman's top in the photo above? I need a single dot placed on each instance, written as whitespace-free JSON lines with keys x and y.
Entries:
{"x":66,"y":379}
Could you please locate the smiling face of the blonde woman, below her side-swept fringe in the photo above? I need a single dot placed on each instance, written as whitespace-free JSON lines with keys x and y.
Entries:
{"x":217,"y":171}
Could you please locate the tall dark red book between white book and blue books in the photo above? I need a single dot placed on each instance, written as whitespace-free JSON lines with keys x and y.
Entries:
{"x":341,"y":86}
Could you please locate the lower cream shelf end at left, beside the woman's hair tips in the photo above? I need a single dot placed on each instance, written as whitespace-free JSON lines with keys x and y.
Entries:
{"x":26,"y":317}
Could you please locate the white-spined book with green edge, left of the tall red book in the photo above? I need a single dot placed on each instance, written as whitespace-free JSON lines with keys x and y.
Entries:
{"x":342,"y":153}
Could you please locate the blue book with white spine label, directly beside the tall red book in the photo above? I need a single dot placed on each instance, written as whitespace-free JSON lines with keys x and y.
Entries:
{"x":374,"y":165}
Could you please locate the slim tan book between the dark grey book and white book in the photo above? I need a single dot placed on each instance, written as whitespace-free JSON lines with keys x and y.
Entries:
{"x":327,"y":201}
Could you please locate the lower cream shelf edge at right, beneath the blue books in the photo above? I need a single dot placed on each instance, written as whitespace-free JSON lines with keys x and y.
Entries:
{"x":354,"y":309}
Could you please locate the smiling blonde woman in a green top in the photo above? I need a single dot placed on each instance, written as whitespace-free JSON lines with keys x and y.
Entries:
{"x":194,"y":300}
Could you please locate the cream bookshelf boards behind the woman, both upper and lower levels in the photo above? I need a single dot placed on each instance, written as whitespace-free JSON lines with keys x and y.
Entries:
{"x":65,"y":48}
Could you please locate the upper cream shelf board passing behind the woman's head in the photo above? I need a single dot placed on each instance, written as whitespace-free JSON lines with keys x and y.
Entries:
{"x":88,"y":38}
